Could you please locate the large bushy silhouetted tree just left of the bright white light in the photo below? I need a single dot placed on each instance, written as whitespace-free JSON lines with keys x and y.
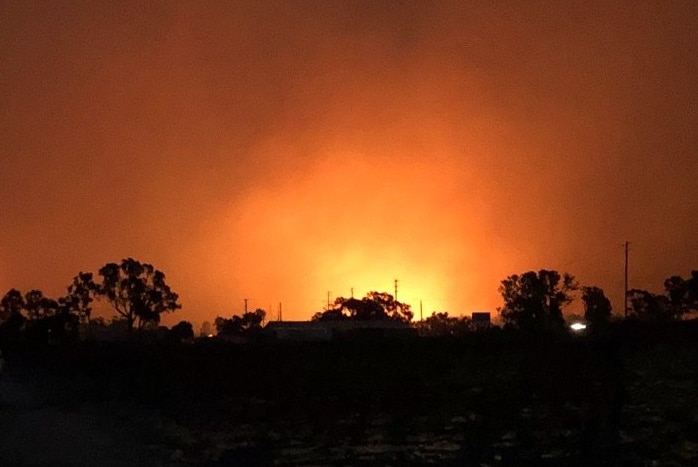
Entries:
{"x":533,"y":301}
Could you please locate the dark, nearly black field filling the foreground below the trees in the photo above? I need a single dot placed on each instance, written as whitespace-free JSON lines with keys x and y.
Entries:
{"x":630,"y":399}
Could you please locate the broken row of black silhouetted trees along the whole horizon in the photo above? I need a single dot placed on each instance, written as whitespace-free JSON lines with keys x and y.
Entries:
{"x":533,"y":303}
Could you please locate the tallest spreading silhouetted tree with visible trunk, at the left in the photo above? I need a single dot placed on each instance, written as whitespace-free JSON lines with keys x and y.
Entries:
{"x":138,"y":292}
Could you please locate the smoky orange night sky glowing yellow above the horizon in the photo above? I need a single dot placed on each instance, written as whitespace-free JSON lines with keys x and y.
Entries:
{"x":276,"y":151}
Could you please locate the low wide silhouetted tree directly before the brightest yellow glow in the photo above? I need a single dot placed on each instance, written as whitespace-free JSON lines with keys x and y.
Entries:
{"x":374,"y":306}
